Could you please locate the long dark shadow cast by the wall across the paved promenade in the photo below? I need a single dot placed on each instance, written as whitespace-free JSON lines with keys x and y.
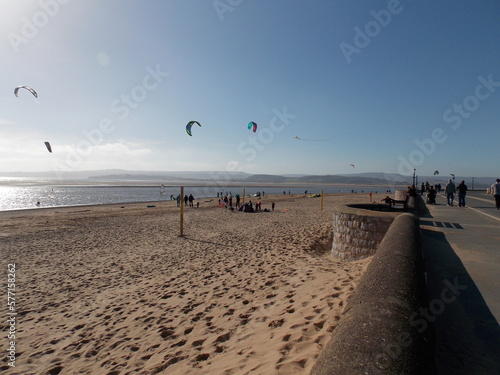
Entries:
{"x":467,"y":333}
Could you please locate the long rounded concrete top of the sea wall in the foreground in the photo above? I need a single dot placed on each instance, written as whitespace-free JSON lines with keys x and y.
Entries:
{"x":378,"y":333}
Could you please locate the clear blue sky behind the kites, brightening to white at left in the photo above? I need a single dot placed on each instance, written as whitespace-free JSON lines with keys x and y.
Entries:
{"x":393,"y":85}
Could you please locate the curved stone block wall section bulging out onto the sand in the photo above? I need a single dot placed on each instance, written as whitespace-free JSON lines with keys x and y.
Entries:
{"x":358,"y":229}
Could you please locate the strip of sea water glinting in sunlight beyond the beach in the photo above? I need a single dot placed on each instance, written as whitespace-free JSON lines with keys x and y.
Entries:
{"x":34,"y":194}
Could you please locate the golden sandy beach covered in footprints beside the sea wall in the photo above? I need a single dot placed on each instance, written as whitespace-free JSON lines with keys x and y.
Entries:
{"x":114,"y":290}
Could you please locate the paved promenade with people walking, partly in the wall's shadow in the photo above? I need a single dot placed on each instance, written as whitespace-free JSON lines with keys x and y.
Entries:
{"x":461,"y":248}
